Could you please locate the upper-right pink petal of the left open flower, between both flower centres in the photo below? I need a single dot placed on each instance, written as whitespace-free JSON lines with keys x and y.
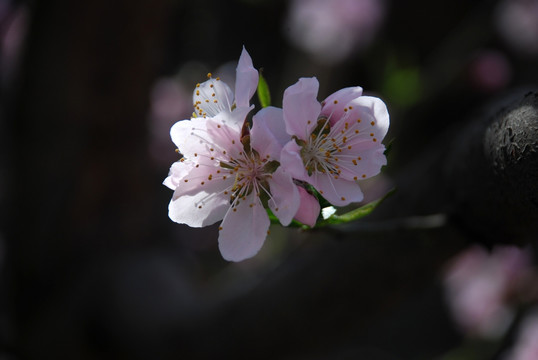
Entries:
{"x":268,"y":134}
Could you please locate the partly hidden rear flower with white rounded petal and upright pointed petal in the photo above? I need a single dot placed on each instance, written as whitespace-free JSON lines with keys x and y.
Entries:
{"x":213,"y":96}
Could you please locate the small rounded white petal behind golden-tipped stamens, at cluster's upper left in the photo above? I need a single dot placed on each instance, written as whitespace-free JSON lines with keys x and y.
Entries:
{"x":212,"y":97}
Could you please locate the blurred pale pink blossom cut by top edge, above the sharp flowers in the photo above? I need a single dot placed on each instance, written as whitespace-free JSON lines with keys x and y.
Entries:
{"x":333,"y":30}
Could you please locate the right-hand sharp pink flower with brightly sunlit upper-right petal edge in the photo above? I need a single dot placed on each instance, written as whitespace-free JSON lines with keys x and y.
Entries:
{"x":335,"y":143}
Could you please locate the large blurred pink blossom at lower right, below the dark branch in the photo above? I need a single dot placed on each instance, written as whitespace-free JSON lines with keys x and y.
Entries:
{"x":479,"y":287}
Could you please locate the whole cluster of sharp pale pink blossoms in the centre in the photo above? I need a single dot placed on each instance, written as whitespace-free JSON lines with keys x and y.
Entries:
{"x":234,"y":169}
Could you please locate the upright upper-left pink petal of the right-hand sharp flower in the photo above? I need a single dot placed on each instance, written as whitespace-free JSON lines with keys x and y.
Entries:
{"x":301,"y":108}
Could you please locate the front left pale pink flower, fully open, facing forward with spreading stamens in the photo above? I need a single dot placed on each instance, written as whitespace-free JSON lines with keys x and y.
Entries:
{"x":227,"y":176}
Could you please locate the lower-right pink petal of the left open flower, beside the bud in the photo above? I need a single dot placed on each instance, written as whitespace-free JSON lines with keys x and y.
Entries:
{"x":285,"y":196}
